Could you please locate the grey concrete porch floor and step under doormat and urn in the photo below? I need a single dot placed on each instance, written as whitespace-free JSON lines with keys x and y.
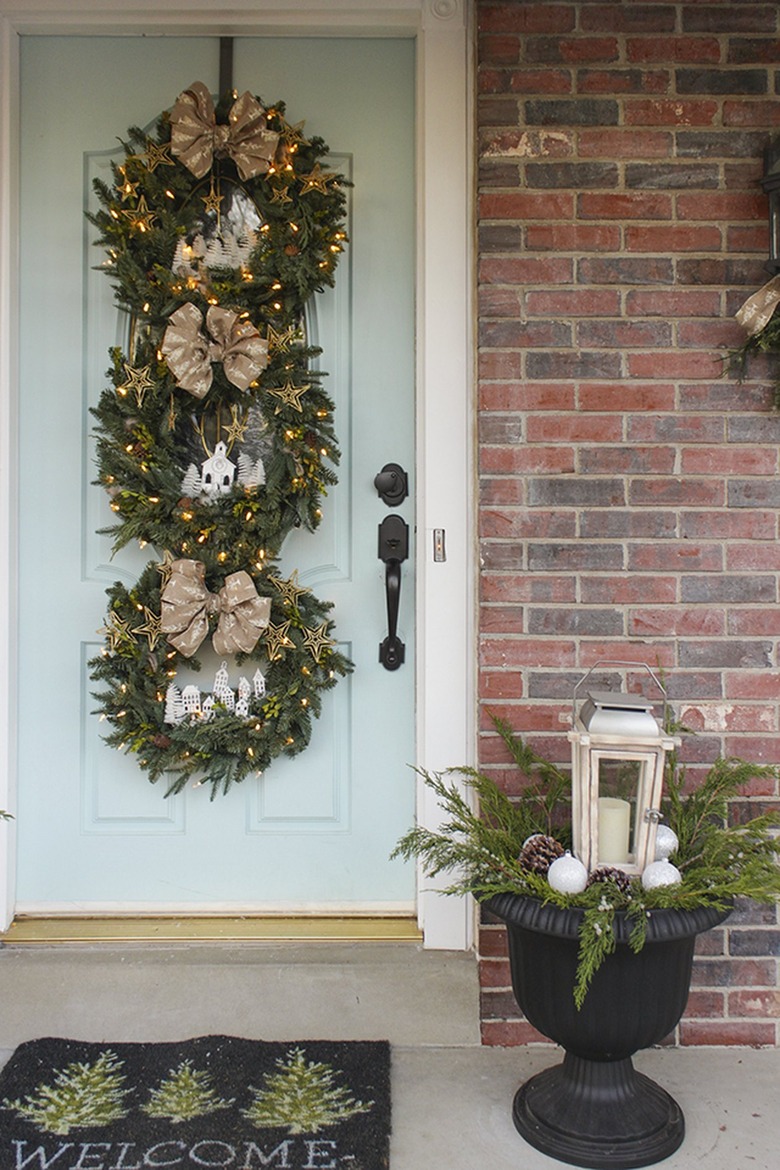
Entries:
{"x":452,"y":1098}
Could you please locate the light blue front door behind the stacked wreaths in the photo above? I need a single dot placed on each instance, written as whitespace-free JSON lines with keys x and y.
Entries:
{"x":314,"y":832}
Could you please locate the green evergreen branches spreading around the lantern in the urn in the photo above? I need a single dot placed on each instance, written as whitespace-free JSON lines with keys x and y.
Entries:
{"x":719,"y":862}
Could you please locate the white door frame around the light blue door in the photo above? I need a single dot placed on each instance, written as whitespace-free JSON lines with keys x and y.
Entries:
{"x":446,"y":642}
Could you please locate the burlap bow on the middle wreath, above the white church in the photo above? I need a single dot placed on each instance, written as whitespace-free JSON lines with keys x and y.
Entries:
{"x":231,"y":341}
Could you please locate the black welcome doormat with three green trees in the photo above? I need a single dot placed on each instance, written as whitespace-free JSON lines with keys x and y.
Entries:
{"x":213,"y":1102}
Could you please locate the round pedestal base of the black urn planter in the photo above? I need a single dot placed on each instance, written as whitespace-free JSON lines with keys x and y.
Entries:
{"x":599,"y":1114}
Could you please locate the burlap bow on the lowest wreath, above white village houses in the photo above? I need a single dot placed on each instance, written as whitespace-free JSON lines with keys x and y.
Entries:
{"x":187,"y":605}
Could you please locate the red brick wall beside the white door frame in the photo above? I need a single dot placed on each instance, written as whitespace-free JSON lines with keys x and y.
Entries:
{"x":630,"y":490}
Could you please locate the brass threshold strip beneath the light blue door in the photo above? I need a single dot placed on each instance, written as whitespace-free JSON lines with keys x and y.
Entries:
{"x":184,"y":930}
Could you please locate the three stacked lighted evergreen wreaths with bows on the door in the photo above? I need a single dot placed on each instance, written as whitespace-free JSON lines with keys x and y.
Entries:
{"x":216,"y":437}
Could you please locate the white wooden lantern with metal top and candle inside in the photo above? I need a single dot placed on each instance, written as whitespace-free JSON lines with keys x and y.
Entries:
{"x":618,"y":761}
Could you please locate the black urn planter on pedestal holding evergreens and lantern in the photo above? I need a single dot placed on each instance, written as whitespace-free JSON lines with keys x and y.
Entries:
{"x":595,"y":1110}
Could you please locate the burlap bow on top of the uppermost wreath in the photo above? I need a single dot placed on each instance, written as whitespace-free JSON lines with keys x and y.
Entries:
{"x":197,"y":140}
